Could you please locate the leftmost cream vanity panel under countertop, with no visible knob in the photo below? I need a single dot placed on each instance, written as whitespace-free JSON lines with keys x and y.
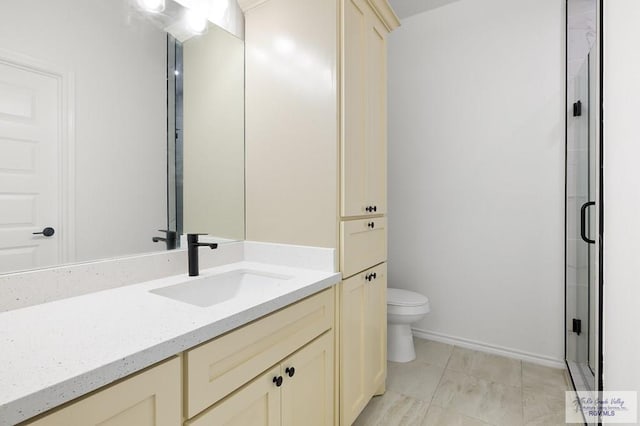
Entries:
{"x":151,"y":398}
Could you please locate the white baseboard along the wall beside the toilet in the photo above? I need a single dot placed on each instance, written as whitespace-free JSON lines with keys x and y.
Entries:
{"x":492,"y":349}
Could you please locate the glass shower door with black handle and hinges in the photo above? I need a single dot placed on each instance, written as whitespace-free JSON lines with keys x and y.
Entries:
{"x":581,"y":227}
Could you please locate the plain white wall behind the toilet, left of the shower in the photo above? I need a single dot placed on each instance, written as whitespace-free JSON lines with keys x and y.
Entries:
{"x":476,"y":172}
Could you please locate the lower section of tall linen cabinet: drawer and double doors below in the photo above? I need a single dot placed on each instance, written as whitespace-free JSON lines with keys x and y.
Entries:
{"x":363,"y":318}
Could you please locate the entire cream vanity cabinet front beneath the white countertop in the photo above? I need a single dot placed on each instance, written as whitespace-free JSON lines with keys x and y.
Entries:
{"x":277,"y":370}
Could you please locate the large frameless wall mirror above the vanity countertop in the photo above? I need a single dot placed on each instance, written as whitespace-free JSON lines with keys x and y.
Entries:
{"x":117,"y":121}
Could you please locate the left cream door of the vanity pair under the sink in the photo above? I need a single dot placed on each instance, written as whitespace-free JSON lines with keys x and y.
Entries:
{"x":256,"y":404}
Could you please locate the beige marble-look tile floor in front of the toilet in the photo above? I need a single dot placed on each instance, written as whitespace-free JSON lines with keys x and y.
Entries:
{"x":450,"y":386}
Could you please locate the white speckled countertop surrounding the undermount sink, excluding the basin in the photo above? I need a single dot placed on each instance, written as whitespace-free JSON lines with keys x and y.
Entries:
{"x":55,"y":352}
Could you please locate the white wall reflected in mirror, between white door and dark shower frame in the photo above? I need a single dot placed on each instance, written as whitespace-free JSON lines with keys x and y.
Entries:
{"x":119,"y":73}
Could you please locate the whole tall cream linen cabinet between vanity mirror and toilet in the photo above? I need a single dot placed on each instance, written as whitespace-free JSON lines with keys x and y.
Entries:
{"x":316,"y":158}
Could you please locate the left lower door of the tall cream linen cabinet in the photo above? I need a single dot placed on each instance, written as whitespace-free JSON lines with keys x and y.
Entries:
{"x":353,"y":388}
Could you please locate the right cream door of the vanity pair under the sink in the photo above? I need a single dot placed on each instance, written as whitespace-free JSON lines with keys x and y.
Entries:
{"x":308,"y":391}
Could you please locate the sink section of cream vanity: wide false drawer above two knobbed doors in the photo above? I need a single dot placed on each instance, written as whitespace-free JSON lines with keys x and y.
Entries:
{"x":280,"y":368}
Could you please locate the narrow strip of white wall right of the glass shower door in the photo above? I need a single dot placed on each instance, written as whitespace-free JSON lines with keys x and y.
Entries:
{"x":622,"y":195}
